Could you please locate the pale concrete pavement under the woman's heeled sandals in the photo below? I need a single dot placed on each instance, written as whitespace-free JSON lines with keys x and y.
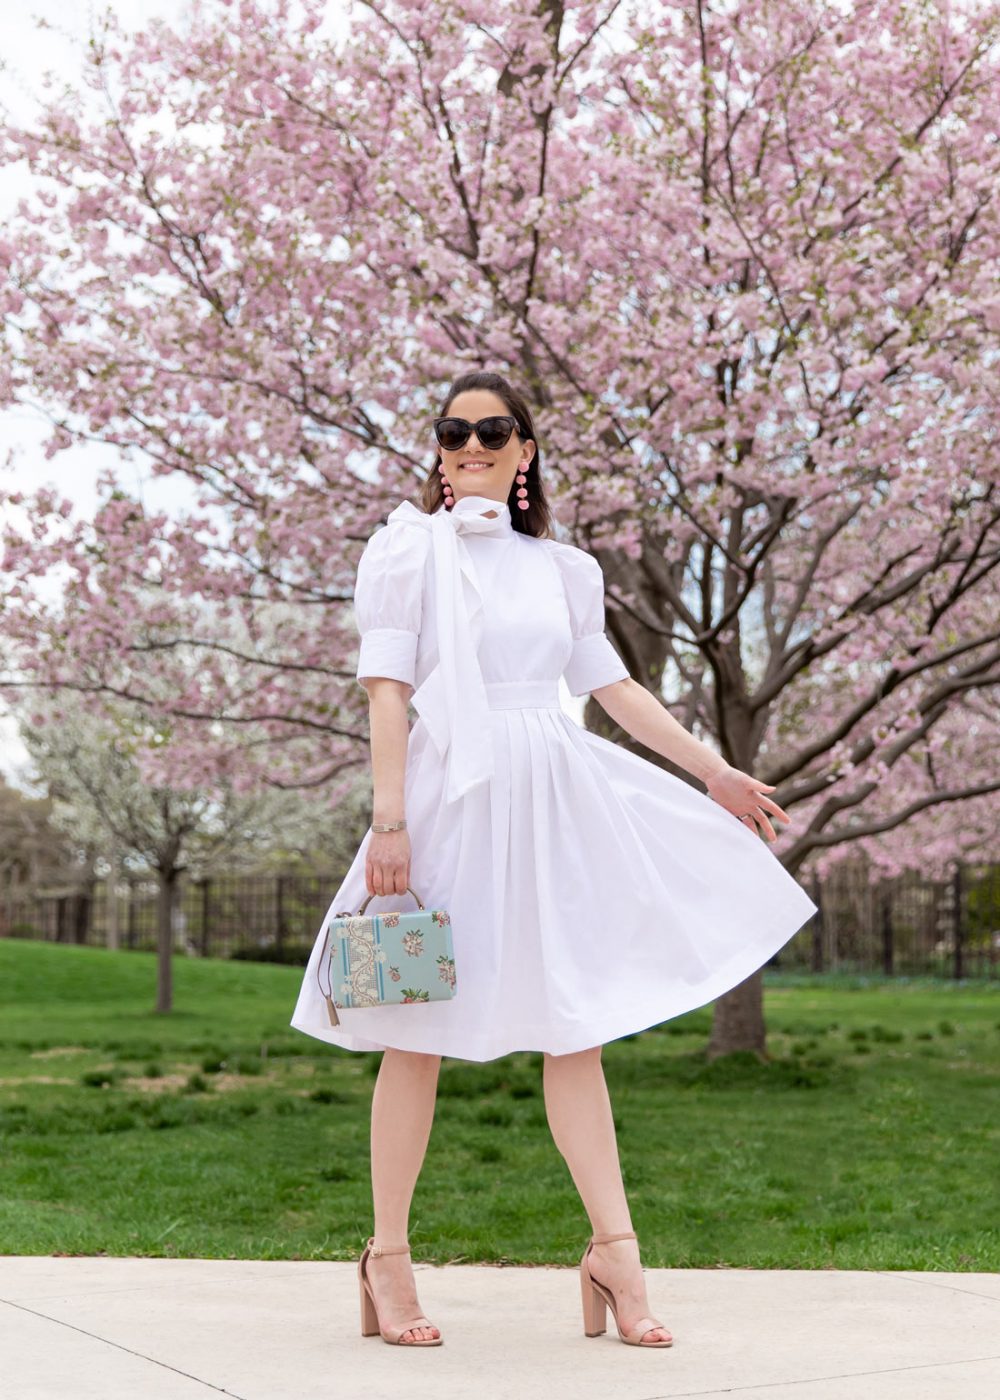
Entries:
{"x":186,"y":1329}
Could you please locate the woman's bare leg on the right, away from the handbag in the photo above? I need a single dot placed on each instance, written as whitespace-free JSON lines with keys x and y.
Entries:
{"x":583,"y":1129}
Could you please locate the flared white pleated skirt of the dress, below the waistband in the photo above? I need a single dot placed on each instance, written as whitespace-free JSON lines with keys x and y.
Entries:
{"x":592,"y":895}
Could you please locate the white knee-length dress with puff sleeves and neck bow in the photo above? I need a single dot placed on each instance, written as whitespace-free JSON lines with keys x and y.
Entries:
{"x":592,"y":894}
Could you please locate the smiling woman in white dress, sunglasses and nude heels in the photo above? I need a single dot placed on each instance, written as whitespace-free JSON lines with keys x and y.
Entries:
{"x":592,"y":894}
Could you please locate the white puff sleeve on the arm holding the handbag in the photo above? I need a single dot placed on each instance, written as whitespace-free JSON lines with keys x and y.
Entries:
{"x":389,"y":603}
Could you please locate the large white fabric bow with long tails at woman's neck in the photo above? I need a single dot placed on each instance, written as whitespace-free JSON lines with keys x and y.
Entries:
{"x":452,"y":701}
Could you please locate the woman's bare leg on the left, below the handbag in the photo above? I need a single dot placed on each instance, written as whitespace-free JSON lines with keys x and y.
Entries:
{"x":403,"y":1112}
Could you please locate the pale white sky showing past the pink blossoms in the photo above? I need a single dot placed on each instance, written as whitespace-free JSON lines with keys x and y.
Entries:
{"x":30,"y":50}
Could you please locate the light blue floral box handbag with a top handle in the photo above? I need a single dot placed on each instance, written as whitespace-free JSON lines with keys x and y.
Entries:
{"x":387,"y":960}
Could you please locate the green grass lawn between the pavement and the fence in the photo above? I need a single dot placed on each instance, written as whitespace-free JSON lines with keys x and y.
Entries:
{"x":869,"y":1142}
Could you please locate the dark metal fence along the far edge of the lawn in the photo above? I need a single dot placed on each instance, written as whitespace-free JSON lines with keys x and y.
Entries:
{"x":905,"y":926}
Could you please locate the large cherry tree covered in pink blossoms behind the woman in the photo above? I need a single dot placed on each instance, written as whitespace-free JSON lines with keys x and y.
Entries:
{"x":743,"y":258}
